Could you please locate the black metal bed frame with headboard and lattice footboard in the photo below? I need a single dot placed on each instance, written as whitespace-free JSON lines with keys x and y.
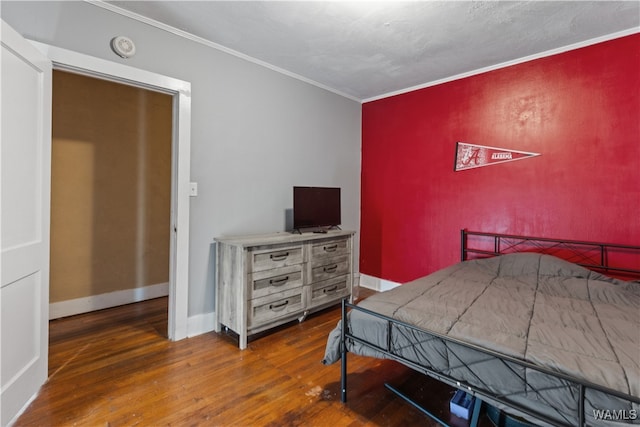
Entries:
{"x":619,"y":260}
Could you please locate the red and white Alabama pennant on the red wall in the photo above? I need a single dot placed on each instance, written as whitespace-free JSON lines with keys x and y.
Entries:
{"x":469,"y":156}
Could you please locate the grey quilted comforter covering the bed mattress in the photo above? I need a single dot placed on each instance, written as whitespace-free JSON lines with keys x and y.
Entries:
{"x":531,"y":307}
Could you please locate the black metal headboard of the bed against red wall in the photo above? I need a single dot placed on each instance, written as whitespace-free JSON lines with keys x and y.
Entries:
{"x":622,"y":261}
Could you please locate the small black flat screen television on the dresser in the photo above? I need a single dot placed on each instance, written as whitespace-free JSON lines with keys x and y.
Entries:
{"x":316,"y":207}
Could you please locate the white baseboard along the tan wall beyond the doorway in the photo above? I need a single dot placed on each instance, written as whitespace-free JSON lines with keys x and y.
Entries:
{"x":110,"y":299}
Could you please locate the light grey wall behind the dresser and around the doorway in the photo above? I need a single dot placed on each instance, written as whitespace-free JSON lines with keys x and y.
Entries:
{"x":255,"y":132}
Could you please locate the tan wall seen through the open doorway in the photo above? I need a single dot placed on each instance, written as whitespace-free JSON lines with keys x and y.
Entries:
{"x":111,"y":187}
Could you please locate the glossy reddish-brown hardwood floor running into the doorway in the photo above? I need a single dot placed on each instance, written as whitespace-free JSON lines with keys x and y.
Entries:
{"x":115,"y":367}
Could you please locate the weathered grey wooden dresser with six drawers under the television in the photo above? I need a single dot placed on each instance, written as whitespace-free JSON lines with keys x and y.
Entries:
{"x":266,"y":280}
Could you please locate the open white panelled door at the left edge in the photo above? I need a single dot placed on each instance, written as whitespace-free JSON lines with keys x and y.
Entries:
{"x":25,"y":122}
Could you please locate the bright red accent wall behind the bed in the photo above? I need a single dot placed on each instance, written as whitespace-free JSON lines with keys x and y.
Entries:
{"x":579,"y":109}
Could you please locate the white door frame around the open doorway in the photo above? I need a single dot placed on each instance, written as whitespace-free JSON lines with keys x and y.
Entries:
{"x":74,"y":62}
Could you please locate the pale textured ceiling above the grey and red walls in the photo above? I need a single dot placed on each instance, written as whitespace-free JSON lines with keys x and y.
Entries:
{"x":366,"y":50}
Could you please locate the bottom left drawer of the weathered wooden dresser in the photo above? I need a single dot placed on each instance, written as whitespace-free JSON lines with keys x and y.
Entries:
{"x":266,"y":309}
